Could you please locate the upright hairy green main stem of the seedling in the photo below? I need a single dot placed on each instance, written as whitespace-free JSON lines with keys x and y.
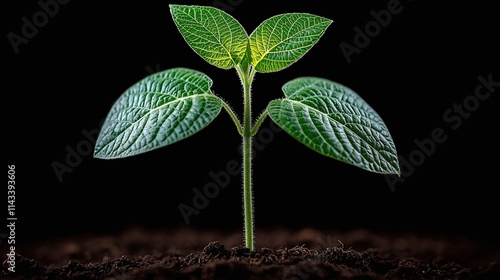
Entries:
{"x":247,"y":157}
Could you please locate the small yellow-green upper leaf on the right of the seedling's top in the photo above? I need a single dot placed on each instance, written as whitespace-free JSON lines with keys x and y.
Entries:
{"x":283,"y":39}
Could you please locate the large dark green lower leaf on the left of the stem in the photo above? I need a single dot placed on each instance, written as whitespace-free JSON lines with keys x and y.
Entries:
{"x":159,"y":110}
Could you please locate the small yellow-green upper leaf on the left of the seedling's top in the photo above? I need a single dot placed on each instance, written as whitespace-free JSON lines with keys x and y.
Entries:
{"x":215,"y":35}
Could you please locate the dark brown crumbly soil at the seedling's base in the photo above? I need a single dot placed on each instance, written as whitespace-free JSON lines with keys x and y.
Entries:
{"x":188,"y":253}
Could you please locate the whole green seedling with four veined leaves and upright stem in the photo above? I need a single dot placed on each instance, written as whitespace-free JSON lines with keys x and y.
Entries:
{"x":172,"y":105}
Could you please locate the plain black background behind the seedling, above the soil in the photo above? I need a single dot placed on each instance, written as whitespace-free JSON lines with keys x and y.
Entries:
{"x":64,"y":80}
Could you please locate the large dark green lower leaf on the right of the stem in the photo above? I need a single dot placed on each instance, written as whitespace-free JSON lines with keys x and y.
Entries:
{"x":334,"y":121}
